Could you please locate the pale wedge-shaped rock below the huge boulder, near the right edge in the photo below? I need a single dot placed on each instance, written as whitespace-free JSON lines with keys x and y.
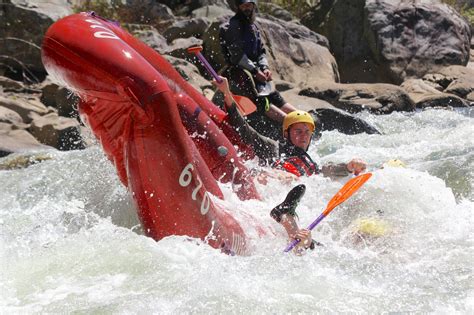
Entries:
{"x":425,"y":95}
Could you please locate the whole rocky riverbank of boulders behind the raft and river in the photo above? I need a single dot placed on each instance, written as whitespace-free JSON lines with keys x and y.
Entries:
{"x":341,"y":58}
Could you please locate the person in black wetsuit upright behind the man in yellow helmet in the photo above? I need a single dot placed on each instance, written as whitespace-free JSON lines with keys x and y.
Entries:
{"x":248,"y":71}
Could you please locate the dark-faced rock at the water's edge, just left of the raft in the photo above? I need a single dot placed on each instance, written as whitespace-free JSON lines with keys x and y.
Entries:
{"x":56,"y":131}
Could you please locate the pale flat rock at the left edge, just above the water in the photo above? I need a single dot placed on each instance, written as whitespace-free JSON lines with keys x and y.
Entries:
{"x":17,"y":141}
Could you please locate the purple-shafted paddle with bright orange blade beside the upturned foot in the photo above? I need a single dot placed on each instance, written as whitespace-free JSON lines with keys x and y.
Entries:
{"x":342,"y":195}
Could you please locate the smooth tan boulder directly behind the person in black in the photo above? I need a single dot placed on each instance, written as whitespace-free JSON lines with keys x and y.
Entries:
{"x":294,"y":52}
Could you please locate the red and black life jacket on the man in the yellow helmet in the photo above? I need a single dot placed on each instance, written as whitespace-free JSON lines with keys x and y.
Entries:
{"x":300,"y":164}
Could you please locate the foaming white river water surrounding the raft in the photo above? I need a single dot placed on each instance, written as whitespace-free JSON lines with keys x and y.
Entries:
{"x":71,"y":243}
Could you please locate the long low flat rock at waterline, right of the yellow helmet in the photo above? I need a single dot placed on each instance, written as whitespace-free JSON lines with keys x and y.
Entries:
{"x":377,"y":98}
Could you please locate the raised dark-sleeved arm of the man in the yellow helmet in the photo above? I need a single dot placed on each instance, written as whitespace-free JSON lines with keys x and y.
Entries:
{"x":265,"y":148}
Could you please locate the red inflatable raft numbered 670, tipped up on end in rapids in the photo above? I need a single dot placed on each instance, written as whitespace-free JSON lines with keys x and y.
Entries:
{"x":144,"y":113}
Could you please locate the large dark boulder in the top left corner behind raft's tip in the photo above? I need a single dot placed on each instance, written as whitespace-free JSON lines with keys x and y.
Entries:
{"x":22,"y":27}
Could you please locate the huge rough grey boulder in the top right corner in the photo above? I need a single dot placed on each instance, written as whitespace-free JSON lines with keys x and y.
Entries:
{"x":391,"y":40}
